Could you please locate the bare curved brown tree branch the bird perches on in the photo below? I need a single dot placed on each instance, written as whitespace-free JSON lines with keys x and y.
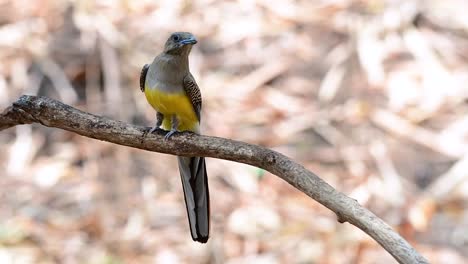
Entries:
{"x":52,"y":113}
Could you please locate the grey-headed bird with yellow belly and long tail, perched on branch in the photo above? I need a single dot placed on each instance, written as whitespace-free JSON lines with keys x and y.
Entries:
{"x":172,"y":91}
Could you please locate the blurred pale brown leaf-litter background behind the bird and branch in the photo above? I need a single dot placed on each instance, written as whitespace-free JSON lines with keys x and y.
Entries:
{"x":370,"y":95}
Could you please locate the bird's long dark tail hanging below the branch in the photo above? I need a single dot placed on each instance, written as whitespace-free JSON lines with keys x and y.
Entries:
{"x":196,"y":194}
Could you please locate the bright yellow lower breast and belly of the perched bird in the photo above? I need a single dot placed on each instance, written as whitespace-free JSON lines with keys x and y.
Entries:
{"x":170,"y":104}
